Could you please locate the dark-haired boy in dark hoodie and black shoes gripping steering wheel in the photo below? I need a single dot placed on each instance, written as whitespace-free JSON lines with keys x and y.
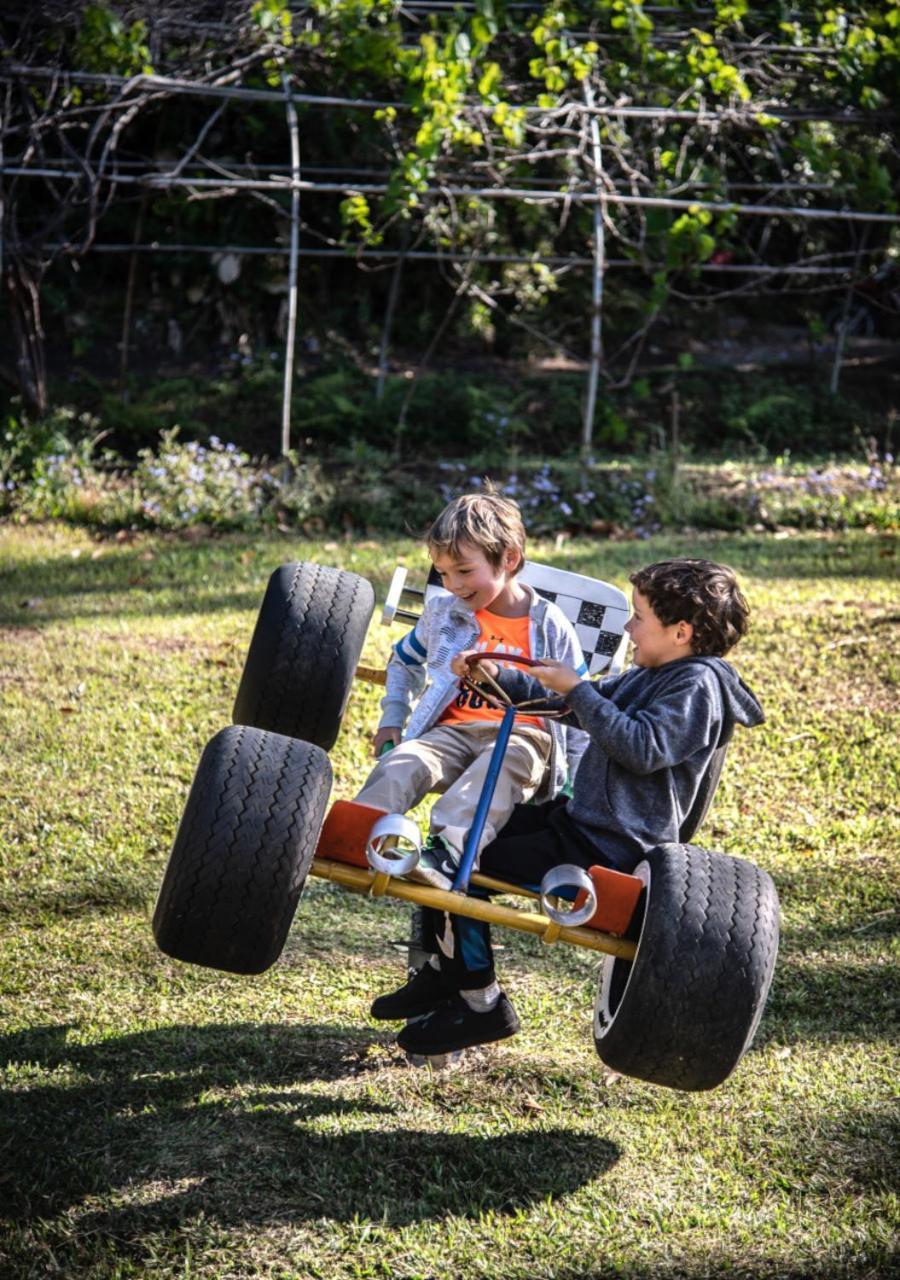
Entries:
{"x":654,"y":733}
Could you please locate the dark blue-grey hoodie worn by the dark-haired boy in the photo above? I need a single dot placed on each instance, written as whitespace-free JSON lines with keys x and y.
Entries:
{"x":654,"y":733}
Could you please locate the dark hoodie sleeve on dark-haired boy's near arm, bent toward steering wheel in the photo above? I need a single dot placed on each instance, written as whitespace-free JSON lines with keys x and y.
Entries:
{"x":683,"y":720}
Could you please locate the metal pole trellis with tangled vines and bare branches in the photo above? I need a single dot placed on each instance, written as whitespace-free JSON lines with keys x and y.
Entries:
{"x":65,"y":129}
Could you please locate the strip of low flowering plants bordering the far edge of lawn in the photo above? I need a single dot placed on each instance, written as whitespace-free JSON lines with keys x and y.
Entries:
{"x":180,"y":484}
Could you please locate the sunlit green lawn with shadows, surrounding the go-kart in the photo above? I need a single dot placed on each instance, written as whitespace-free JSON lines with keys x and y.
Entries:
{"x":161,"y":1121}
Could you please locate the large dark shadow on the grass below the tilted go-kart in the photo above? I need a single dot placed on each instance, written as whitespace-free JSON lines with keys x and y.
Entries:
{"x":180,"y":1122}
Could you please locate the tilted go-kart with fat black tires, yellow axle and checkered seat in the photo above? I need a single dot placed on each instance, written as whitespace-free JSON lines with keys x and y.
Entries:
{"x":689,"y":941}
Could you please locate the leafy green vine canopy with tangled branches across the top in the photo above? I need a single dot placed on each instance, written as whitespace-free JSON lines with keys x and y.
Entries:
{"x":474,"y":130}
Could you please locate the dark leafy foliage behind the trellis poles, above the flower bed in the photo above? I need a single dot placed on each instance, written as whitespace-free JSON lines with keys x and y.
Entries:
{"x":787,"y":108}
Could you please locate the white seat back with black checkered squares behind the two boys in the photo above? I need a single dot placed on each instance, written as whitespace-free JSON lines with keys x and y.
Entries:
{"x":597,"y":610}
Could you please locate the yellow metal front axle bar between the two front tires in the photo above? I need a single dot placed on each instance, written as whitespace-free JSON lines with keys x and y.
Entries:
{"x":360,"y":881}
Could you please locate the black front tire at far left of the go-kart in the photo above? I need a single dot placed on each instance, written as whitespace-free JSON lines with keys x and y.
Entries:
{"x":243,"y":852}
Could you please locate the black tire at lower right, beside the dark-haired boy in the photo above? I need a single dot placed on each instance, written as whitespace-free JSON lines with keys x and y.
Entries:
{"x":684,"y":1012}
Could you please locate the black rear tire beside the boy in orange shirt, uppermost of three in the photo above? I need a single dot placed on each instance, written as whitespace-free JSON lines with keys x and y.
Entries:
{"x":304,"y":652}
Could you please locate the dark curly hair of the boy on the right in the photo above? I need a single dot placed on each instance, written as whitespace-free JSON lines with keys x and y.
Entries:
{"x":702,"y":593}
